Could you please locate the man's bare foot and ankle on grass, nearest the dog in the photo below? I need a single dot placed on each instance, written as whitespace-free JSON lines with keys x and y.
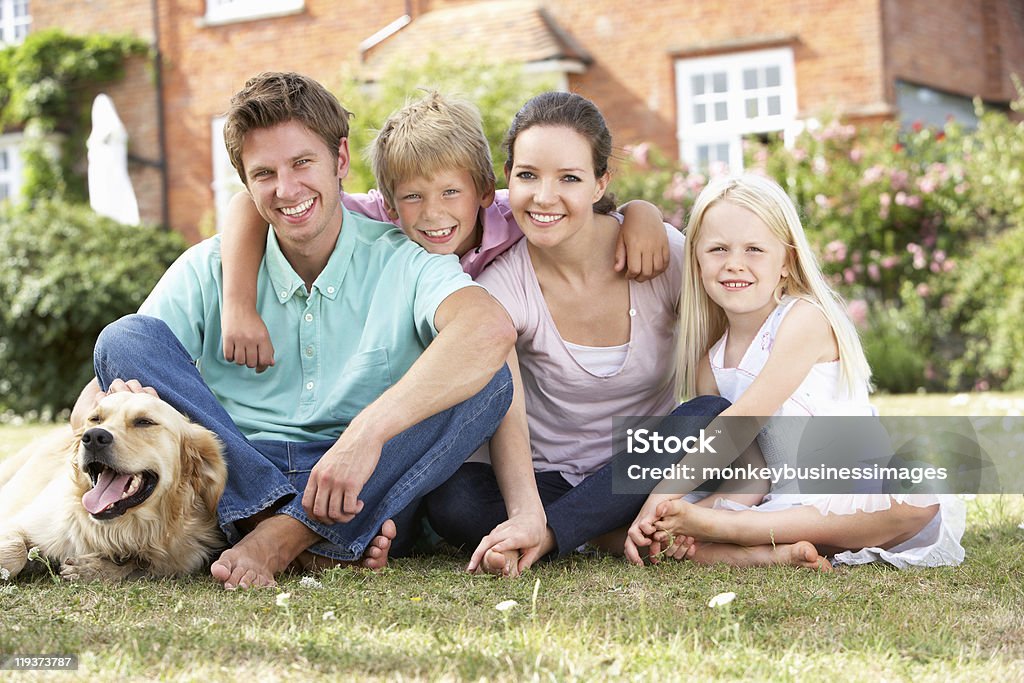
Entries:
{"x":264,"y":553}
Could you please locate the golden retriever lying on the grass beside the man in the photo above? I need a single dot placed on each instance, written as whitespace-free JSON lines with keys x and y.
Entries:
{"x":134,"y":493}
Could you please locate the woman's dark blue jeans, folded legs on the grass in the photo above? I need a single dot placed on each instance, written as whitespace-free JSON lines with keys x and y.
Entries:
{"x":468,"y":506}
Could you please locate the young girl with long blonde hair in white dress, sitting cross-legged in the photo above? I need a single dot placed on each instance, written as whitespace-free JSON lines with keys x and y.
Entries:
{"x":761,"y":327}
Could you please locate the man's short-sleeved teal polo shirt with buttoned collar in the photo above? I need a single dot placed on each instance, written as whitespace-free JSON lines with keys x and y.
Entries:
{"x":337,"y":349}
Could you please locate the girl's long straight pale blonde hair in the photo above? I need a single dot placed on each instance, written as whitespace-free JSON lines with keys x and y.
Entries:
{"x":703,"y":322}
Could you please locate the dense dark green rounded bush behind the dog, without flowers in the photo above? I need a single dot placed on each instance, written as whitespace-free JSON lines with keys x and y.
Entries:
{"x":65,"y":274}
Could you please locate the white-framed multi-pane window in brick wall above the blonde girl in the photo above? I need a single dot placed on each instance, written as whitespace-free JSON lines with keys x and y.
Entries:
{"x":724,"y":98}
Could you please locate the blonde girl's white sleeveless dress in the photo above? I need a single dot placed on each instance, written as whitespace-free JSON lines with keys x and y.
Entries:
{"x":823,"y":394}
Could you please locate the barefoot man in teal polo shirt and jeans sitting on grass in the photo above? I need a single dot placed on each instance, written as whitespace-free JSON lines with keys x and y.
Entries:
{"x":386,"y":375}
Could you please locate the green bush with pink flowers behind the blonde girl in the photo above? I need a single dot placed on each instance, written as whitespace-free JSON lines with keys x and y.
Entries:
{"x":897,"y":218}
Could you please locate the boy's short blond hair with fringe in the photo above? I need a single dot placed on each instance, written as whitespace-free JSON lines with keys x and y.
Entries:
{"x":431,"y":136}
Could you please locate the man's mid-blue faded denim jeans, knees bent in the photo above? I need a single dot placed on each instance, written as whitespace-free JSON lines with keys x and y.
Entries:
{"x":265,"y":475}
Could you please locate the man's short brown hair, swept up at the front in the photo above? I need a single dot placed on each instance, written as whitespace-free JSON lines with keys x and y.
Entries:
{"x":276,"y":98}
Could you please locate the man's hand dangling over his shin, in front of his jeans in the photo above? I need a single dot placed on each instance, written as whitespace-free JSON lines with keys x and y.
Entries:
{"x":332,"y":494}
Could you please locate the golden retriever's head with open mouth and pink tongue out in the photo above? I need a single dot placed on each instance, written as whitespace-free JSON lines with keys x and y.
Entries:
{"x":138,"y":453}
